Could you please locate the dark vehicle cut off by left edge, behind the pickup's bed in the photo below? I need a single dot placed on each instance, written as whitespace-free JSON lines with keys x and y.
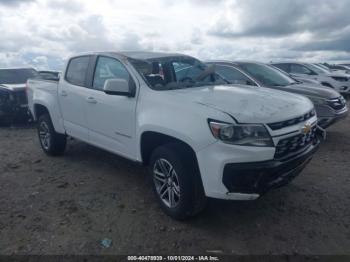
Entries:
{"x":13,"y":97}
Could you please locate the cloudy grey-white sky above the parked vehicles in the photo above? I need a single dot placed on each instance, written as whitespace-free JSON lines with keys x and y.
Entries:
{"x":43,"y":33}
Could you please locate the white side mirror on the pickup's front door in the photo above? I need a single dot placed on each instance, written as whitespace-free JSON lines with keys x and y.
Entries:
{"x":118,"y":86}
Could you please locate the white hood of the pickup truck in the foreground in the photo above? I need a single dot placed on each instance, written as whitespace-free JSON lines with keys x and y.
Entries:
{"x":248,"y":104}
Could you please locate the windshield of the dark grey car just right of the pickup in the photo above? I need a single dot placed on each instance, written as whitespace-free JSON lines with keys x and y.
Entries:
{"x":267,"y":75}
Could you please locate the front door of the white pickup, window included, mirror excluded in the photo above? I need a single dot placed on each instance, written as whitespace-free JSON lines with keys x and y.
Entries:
{"x":111,"y":118}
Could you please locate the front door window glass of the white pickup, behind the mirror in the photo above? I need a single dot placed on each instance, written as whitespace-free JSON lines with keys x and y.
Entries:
{"x":108,"y":68}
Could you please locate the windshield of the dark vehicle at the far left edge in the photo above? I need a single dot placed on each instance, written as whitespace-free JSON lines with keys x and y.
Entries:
{"x":16,"y":76}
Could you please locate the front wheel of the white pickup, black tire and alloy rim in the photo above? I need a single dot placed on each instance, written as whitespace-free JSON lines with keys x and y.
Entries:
{"x":179,"y":192}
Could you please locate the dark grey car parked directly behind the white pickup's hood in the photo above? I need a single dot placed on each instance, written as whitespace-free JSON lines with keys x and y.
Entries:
{"x":329,"y":104}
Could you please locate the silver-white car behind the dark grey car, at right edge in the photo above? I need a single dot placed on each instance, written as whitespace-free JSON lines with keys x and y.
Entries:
{"x":336,"y":80}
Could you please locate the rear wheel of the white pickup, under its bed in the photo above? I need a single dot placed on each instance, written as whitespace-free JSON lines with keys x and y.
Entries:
{"x":52,"y":143}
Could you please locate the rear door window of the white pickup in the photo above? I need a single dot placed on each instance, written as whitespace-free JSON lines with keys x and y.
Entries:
{"x":77,"y":70}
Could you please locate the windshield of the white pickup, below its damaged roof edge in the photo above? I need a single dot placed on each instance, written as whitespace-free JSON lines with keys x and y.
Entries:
{"x":176,"y":72}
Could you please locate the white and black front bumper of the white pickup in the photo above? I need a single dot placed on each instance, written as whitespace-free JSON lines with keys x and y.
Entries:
{"x":228,"y":171}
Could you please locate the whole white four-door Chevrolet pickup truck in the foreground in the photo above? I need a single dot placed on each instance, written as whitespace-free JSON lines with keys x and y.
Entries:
{"x":199,"y":136}
